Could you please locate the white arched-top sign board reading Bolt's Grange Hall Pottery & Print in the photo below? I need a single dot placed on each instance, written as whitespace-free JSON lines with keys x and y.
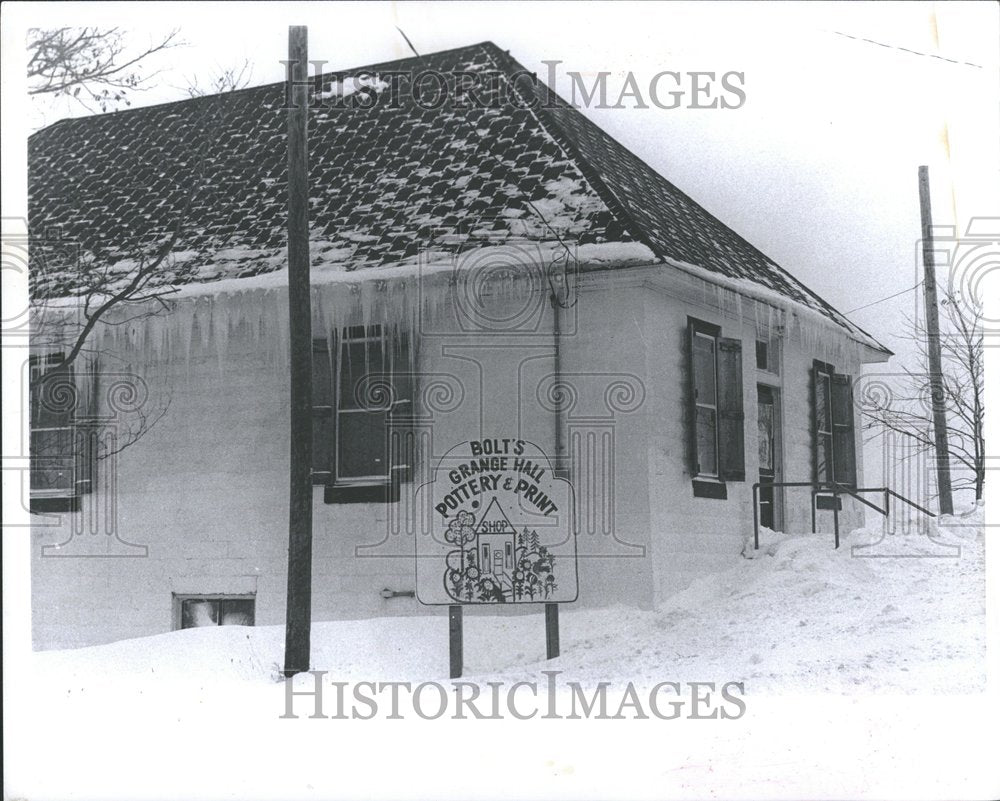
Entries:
{"x":499,"y":528}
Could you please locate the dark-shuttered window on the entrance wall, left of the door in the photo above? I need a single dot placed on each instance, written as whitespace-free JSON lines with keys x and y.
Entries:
{"x":716,"y":407}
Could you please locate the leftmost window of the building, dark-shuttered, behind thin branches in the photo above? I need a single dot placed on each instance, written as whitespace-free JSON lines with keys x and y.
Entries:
{"x":61,"y":446}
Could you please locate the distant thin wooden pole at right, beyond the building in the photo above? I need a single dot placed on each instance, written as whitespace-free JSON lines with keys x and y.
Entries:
{"x":934,"y":347}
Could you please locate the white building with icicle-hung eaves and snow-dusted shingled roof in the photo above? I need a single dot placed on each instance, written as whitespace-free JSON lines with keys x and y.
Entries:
{"x":493,"y":267}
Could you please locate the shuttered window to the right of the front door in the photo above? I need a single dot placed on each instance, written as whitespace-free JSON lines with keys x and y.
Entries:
{"x":833,"y":427}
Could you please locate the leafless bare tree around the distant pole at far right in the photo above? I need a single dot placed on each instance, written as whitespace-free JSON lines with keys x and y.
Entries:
{"x":908,"y":410}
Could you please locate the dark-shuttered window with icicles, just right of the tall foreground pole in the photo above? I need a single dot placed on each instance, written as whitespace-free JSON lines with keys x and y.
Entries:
{"x":362,"y":397}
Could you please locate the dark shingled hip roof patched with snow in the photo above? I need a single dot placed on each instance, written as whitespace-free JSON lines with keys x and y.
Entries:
{"x":404,"y":176}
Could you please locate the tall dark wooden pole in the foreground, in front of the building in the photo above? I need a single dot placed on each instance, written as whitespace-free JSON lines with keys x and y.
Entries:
{"x":298,"y":610}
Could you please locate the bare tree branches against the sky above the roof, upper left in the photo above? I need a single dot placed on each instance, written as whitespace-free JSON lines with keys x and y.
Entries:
{"x":94,"y":66}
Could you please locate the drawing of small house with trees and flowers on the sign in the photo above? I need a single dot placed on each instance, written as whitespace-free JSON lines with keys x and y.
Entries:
{"x":492,"y":563}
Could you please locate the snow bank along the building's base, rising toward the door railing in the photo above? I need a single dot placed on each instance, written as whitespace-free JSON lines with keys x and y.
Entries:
{"x":878,"y":614}
